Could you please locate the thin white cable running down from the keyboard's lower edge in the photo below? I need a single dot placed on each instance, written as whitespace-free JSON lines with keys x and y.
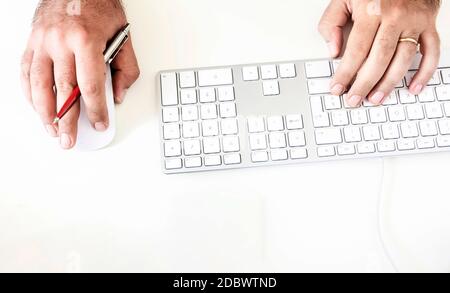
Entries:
{"x":385,"y":188}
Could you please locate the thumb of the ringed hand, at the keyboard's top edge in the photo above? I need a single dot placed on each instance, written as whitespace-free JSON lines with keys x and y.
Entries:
{"x":331,"y":26}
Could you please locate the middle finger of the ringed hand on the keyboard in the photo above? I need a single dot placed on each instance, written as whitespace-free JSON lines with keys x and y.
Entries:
{"x":374,"y":68}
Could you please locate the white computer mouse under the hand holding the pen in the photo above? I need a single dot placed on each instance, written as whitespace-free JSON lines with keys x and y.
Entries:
{"x":88,"y":138}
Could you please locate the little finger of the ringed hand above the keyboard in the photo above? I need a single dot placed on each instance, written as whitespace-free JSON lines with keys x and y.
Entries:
{"x":430,"y":47}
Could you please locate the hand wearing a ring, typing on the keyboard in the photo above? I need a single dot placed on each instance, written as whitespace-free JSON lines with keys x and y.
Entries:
{"x":375,"y":60}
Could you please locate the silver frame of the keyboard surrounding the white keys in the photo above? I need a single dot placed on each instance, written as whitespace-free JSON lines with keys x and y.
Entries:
{"x":247,"y":101}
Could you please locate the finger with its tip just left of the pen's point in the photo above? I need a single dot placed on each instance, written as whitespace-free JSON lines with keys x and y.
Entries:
{"x":42,"y":93}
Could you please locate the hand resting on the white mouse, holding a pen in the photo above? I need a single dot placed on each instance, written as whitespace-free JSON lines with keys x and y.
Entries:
{"x":65,"y":49}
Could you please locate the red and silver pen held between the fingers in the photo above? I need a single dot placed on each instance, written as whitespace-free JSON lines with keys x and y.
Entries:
{"x":109,"y":55}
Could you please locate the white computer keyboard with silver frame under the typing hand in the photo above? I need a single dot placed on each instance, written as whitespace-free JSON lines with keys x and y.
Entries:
{"x":282,"y":113}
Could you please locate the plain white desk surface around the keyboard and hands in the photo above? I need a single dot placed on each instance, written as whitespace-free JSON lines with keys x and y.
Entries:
{"x":115,"y":211}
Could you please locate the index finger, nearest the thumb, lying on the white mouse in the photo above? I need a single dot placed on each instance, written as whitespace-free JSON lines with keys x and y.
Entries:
{"x":91,"y":75}
